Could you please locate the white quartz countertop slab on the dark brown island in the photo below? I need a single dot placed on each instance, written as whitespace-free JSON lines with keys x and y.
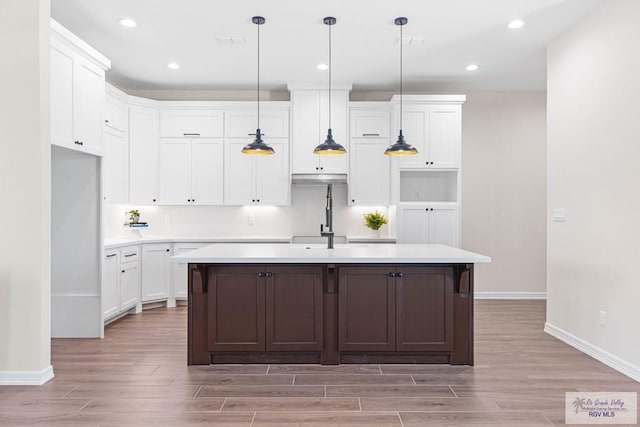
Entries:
{"x":342,"y":254}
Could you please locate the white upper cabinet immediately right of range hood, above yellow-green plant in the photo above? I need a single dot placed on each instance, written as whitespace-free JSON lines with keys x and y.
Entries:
{"x":369,"y":168}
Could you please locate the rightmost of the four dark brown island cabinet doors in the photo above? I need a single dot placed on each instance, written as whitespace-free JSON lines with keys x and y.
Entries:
{"x":424,"y":307}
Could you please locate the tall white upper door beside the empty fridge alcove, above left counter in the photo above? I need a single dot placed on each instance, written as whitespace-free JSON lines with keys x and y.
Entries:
{"x":116,"y":167}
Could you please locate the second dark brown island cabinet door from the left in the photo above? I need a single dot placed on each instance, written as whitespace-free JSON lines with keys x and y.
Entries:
{"x":294,"y":308}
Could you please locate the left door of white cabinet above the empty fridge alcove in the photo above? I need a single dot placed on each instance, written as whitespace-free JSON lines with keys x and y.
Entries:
{"x":61,"y":95}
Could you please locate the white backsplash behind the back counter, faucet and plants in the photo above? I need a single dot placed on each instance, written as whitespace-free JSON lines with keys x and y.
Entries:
{"x":302,"y":218}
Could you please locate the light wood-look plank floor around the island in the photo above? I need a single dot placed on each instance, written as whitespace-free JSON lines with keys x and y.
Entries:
{"x":137,"y":375}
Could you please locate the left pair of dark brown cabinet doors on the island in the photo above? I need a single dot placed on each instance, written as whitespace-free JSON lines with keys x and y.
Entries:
{"x":265,"y":308}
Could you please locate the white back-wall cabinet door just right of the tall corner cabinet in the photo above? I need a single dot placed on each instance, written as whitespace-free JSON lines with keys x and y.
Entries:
{"x":175,"y":167}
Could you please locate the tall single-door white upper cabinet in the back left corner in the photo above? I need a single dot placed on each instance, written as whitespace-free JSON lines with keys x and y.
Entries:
{"x":144,"y":156}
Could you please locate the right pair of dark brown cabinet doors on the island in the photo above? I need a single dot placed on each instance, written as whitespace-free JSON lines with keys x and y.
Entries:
{"x":395,"y":308}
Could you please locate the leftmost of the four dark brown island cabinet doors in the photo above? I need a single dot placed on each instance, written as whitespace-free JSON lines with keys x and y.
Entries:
{"x":236,"y":309}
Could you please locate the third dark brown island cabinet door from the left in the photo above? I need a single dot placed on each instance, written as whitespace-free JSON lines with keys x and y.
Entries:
{"x":366,"y":309}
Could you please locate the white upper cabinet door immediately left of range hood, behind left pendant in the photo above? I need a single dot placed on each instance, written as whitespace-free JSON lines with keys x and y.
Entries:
{"x":273,"y":183}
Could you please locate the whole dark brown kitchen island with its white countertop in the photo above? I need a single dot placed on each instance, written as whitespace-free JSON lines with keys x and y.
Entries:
{"x":352,"y":304}
